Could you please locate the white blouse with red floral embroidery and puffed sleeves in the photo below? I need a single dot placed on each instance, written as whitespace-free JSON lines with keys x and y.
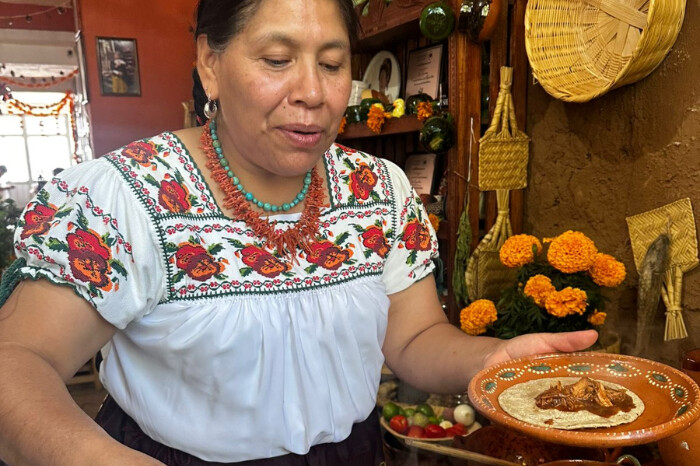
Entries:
{"x":225,"y":350}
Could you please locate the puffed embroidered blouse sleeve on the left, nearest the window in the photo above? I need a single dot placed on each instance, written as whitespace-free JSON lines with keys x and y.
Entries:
{"x":85,"y":230}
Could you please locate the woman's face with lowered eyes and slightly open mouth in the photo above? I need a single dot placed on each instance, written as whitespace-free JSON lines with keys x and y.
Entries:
{"x":283,"y":84}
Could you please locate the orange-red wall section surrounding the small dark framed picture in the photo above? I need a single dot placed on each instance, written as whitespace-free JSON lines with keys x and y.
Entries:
{"x":162,"y":29}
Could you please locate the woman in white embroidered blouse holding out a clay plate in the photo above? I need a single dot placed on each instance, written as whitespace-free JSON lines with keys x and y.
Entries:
{"x":233,"y":338}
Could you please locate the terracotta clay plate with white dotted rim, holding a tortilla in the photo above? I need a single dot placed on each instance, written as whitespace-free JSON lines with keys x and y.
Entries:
{"x":671,"y":398}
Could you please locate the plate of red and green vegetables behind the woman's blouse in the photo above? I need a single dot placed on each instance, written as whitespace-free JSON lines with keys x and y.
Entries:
{"x":427,"y":422}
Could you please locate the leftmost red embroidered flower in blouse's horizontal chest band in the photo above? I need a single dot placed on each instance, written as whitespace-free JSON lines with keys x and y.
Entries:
{"x":197,"y":262}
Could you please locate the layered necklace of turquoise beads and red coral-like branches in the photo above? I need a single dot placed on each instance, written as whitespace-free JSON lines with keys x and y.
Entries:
{"x":241,"y":202}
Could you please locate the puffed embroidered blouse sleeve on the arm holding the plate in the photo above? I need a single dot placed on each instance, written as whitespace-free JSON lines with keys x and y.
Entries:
{"x":414,"y":244}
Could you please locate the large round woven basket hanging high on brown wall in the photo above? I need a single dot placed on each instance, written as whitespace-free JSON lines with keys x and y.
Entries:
{"x":581,"y":49}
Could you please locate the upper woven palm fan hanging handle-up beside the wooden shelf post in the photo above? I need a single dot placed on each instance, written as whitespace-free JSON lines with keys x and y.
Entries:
{"x":503,"y":149}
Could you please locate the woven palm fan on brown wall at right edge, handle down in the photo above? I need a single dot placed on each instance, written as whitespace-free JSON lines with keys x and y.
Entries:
{"x":676,"y":220}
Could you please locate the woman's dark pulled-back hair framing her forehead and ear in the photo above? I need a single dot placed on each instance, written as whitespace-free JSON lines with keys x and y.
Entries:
{"x":221,"y":20}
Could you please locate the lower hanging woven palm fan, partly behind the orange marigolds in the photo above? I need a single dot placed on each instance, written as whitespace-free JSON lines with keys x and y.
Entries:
{"x":486,"y":276}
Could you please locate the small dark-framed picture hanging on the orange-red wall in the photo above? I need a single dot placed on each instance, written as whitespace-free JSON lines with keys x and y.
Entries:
{"x":118,"y":64}
